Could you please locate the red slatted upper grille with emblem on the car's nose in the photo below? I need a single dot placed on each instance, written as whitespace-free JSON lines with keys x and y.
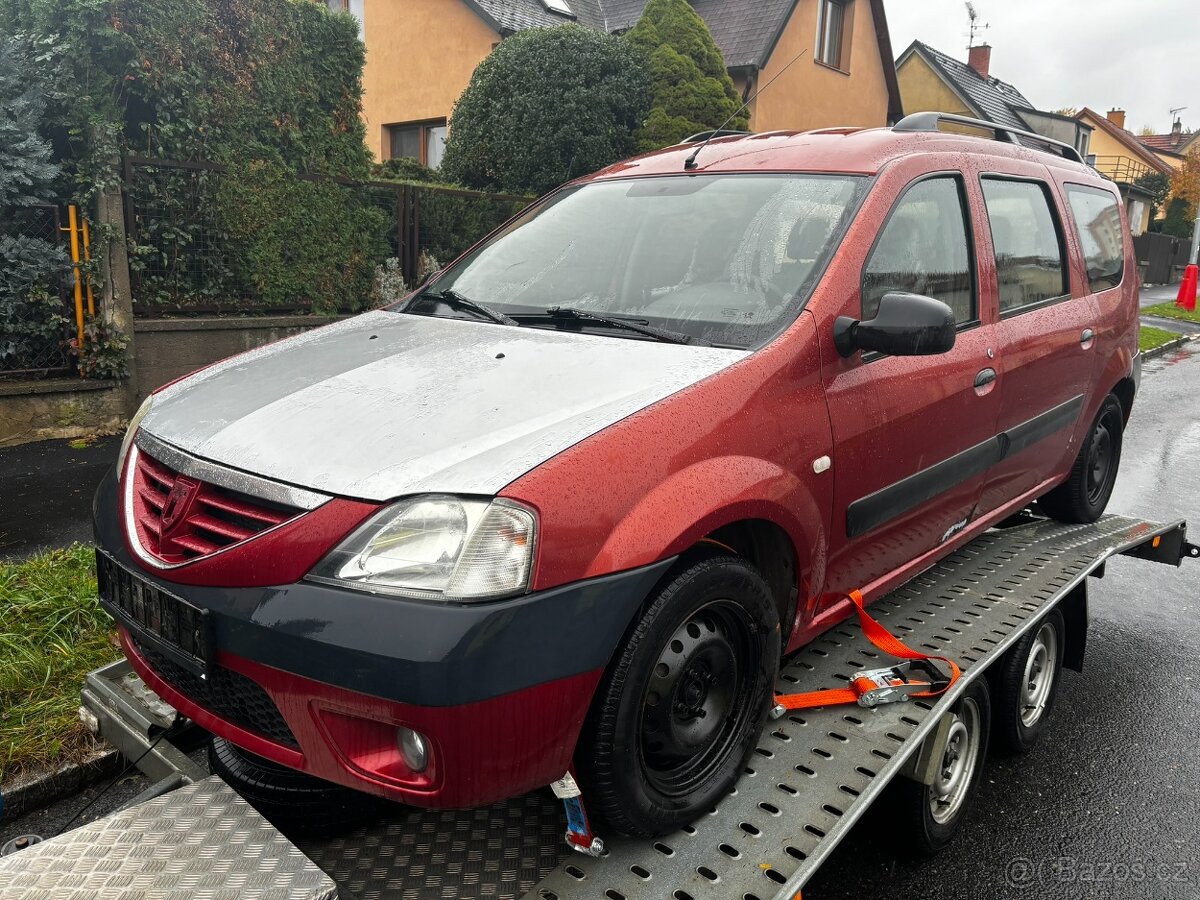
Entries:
{"x":179,"y":519}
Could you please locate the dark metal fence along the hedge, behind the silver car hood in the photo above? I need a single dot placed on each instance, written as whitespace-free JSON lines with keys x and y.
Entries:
{"x":185,"y":260}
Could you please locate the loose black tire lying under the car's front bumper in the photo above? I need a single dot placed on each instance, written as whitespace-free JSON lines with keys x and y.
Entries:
{"x":291,"y":800}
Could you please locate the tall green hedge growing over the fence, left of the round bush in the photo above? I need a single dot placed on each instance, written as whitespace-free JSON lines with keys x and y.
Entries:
{"x":269,"y":89}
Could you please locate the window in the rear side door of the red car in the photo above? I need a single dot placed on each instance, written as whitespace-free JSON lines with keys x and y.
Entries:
{"x":1029,"y":243}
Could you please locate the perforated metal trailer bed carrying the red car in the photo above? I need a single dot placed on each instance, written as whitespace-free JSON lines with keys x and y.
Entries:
{"x":812,"y":777}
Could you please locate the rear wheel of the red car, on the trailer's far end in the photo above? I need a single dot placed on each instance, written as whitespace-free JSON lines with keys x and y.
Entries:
{"x":1085,"y":494}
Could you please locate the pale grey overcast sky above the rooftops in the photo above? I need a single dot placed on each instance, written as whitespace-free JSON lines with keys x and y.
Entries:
{"x":1143,"y":57}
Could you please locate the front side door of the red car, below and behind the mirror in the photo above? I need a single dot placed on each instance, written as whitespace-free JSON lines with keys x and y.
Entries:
{"x":914,"y":436}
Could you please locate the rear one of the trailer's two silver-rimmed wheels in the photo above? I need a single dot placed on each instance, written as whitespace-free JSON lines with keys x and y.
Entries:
{"x":1028,"y":685}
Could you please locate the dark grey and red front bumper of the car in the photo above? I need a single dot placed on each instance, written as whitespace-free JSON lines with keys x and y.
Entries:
{"x":319,"y":679}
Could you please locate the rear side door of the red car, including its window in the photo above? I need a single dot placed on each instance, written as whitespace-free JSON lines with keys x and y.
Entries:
{"x":1047,"y":332}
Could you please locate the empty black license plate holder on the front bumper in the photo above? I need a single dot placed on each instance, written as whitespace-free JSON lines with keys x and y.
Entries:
{"x":170,"y":625}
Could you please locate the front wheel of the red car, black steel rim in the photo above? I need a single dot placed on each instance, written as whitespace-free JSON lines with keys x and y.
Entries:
{"x":683,"y":704}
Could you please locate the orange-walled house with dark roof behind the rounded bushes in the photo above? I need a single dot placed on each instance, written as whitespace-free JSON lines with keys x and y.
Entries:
{"x":422,"y":55}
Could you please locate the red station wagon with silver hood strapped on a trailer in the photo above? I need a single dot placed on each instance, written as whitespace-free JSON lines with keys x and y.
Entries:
{"x":565,"y":508}
